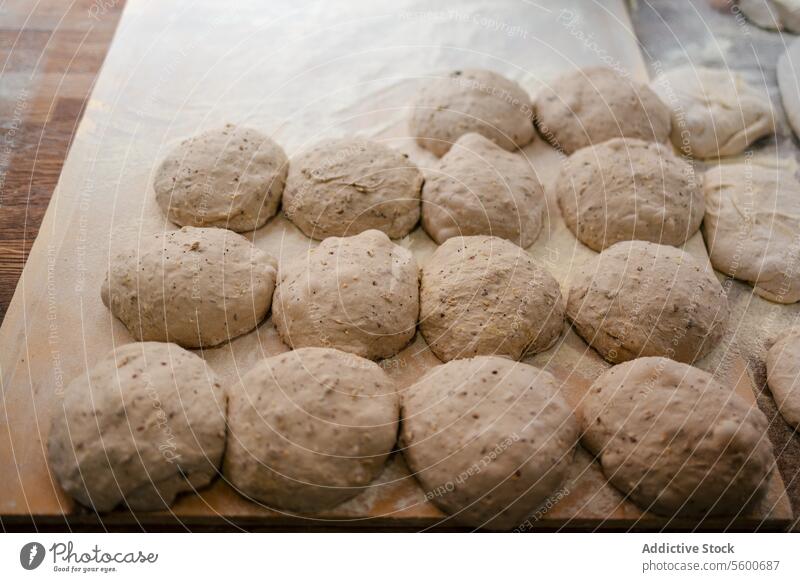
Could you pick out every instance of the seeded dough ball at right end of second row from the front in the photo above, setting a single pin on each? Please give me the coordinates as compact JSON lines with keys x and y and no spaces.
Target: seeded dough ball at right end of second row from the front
{"x":642,"y":299}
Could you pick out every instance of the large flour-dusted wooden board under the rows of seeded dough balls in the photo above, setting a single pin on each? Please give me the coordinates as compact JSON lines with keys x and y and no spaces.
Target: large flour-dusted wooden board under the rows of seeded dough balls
{"x":177,"y":68}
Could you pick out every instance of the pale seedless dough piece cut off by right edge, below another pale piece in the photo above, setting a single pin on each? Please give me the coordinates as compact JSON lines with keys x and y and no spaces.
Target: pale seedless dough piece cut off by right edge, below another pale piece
{"x":752,"y":227}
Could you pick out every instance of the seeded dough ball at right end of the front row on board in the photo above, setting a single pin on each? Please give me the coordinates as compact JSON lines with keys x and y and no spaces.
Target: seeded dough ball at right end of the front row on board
{"x":675,"y":440}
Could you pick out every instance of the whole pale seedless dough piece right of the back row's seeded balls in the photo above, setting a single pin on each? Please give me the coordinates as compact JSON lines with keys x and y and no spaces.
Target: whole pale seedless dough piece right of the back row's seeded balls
{"x":714,"y":112}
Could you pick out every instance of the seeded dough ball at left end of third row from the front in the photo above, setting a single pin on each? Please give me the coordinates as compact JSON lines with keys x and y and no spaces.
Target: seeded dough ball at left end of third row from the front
{"x":230,"y":178}
